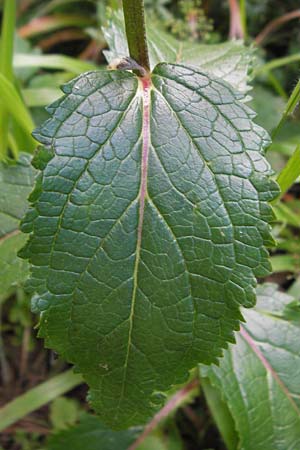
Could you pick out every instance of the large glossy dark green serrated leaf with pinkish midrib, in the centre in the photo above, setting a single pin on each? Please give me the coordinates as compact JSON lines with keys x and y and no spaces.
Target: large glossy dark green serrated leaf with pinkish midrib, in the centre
{"x":147,"y":230}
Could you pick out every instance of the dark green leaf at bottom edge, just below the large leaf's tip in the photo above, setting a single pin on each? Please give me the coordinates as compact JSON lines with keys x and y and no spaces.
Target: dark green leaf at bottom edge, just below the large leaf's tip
{"x":90,"y":434}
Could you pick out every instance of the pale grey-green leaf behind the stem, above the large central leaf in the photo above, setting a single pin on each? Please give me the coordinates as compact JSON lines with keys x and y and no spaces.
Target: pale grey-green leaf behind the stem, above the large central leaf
{"x":229,"y":60}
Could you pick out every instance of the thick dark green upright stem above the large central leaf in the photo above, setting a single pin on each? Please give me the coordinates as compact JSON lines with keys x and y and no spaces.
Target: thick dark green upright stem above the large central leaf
{"x":136,"y":32}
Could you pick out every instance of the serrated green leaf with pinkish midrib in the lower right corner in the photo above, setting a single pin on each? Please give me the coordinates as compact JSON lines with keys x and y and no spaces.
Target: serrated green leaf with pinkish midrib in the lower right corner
{"x":259,"y":376}
